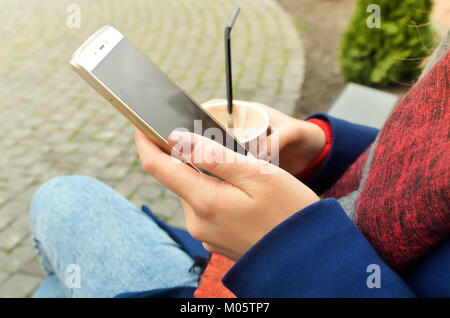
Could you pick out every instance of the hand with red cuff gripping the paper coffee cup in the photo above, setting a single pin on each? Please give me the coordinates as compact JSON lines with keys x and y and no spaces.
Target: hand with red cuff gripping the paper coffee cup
{"x":300,"y":142}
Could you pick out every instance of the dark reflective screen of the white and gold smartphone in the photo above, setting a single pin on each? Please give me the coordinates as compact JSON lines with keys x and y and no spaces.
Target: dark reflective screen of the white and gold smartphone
{"x":153,"y":96}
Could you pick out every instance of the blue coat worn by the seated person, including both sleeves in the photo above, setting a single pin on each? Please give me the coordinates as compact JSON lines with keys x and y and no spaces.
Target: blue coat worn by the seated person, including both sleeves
{"x":319,"y":251}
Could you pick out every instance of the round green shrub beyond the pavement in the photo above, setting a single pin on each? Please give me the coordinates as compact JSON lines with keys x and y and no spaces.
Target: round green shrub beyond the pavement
{"x":389,"y":54}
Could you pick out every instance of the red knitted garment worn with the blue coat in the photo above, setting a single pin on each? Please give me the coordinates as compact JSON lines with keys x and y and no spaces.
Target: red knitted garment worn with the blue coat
{"x":403,"y":208}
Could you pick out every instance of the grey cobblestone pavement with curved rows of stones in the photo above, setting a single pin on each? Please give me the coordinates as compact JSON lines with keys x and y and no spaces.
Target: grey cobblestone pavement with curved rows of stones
{"x":52,"y":123}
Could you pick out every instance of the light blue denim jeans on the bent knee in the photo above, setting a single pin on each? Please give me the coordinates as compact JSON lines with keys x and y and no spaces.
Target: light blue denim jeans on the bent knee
{"x":92,"y":242}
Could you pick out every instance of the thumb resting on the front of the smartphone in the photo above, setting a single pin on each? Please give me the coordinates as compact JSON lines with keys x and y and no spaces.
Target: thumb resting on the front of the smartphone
{"x":211,"y":156}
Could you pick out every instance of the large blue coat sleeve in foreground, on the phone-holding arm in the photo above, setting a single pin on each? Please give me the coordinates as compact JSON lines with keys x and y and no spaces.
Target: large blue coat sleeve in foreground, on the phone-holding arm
{"x":317,"y":252}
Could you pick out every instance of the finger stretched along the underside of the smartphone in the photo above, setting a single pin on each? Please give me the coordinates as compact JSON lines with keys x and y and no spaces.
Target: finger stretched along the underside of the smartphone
{"x":172,"y":173}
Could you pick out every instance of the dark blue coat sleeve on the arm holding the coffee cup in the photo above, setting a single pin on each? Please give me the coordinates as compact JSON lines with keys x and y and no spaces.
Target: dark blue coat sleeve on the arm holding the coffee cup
{"x":349,"y":141}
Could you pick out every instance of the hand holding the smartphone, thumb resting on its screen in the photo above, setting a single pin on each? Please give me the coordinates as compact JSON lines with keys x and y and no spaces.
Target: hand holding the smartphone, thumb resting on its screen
{"x":230,"y":215}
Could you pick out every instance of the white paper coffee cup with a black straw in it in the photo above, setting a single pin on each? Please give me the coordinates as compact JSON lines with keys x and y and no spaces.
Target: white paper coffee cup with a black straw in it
{"x":250,"y":122}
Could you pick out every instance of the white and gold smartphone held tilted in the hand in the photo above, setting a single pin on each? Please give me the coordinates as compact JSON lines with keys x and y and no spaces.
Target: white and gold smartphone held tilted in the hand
{"x":139,"y":90}
